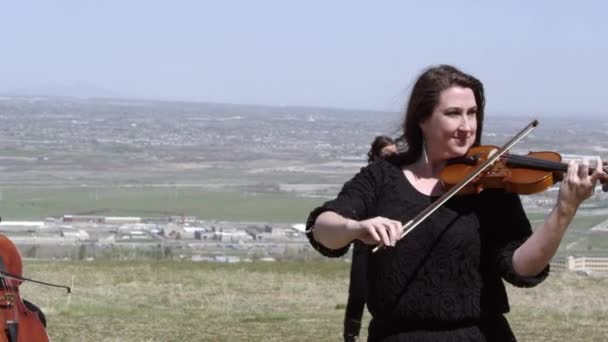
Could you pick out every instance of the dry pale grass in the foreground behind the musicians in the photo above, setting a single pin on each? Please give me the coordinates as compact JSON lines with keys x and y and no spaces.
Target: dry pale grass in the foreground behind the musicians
{"x":283,"y":301}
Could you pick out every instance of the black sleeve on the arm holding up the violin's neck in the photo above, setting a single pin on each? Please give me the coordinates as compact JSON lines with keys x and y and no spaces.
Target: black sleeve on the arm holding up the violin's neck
{"x":511,"y":228}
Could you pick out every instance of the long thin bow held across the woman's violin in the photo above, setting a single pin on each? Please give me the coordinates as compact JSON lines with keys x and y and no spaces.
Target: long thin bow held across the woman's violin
{"x":413,"y":223}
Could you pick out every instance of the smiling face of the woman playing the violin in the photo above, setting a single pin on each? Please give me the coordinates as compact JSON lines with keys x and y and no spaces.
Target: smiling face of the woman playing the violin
{"x":451,"y":129}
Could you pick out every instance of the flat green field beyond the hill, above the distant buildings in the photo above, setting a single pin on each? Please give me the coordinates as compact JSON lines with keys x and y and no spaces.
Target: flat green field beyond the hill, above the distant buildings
{"x":32,"y":204}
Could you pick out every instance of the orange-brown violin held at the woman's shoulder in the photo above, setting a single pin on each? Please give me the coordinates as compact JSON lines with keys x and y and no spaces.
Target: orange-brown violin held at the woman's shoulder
{"x":528,"y":174}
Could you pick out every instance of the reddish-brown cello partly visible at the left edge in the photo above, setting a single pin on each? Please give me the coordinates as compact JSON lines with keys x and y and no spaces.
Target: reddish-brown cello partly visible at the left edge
{"x":17,"y":322}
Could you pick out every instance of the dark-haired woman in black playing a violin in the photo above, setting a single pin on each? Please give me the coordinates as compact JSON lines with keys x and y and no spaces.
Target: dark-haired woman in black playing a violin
{"x":443,"y":281}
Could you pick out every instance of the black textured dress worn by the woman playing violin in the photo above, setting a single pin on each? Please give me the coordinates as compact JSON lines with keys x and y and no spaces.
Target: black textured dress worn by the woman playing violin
{"x":443,"y":281}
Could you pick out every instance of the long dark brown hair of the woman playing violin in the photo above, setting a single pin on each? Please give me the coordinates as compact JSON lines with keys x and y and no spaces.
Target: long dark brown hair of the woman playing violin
{"x":425,"y":97}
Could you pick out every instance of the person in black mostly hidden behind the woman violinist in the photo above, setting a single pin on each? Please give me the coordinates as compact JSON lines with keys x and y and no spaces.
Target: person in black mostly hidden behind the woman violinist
{"x":381,"y":147}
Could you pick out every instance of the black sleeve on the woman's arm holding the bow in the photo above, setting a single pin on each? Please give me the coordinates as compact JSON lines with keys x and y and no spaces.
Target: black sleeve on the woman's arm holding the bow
{"x":355,"y":201}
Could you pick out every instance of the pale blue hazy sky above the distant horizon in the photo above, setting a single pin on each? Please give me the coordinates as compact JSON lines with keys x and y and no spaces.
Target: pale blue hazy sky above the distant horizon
{"x":533,"y":56}
